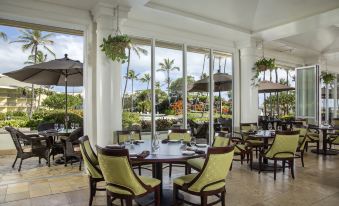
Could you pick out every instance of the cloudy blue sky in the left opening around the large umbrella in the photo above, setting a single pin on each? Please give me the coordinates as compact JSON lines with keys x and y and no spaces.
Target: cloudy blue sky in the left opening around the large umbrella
{"x":12,"y":57}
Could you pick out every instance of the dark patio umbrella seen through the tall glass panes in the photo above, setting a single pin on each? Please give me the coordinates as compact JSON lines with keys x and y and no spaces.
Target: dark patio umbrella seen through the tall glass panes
{"x":222,"y":82}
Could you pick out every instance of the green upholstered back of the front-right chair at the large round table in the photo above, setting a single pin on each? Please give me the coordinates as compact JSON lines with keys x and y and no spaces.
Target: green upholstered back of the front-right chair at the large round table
{"x":216,"y":169}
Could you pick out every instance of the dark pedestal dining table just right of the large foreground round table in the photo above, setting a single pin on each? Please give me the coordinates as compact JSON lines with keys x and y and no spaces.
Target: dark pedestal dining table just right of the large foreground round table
{"x":264,"y":135}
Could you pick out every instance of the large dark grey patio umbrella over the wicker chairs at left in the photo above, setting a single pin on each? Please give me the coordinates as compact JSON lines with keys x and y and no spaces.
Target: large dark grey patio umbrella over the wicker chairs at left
{"x":59,"y":72}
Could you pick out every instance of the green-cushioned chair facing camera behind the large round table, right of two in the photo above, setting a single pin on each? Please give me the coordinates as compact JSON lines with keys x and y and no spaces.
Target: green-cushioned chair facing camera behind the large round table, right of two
{"x":178,"y":134}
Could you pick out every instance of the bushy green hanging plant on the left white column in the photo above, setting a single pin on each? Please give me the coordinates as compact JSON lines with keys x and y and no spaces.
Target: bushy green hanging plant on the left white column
{"x":114,"y":47}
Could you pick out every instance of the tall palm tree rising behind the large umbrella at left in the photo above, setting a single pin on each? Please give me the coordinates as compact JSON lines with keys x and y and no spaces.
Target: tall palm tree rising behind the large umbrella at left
{"x":32,"y":40}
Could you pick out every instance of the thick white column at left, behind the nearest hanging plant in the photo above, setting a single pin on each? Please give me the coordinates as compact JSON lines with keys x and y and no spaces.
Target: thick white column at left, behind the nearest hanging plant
{"x":108,"y":77}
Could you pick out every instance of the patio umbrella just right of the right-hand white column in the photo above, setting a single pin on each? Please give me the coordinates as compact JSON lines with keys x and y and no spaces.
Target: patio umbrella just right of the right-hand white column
{"x":268,"y":87}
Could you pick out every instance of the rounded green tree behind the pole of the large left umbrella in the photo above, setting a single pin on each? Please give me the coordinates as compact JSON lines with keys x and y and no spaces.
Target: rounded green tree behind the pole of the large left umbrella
{"x":58,"y":101}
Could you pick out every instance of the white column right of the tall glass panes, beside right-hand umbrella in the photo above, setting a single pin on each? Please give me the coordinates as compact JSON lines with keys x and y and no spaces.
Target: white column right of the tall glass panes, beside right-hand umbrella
{"x":249,"y":93}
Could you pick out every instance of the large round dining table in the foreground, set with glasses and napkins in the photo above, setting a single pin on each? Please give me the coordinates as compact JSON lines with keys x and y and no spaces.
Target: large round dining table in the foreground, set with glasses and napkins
{"x":169,"y":152}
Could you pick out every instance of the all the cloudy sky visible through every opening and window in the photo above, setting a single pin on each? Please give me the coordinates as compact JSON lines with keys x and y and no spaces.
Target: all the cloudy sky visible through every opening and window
{"x":12,"y":58}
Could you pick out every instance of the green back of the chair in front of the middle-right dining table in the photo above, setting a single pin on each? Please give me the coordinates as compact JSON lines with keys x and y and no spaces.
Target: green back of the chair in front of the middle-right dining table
{"x":285,"y":145}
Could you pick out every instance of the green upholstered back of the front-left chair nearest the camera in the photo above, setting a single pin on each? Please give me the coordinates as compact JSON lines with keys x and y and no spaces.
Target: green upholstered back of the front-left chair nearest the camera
{"x":117,"y":170}
